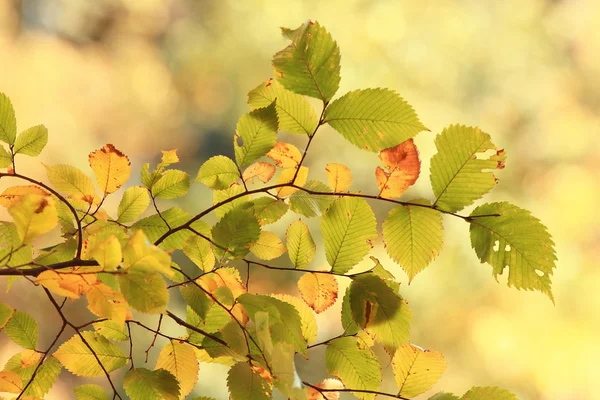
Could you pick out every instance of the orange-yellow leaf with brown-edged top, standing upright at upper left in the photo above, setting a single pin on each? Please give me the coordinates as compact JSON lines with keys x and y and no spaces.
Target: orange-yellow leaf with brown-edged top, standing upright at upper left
{"x":111,"y":167}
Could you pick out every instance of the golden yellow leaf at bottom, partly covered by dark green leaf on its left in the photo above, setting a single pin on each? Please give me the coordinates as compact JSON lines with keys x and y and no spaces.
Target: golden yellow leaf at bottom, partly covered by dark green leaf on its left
{"x":179,"y":358}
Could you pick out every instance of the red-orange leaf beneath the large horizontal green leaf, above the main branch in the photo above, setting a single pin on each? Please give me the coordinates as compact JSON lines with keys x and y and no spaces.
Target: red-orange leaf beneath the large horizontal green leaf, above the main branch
{"x":402,"y":168}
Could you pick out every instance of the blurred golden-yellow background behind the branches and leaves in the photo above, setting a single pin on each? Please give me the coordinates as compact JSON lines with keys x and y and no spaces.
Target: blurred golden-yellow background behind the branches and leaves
{"x":151,"y":75}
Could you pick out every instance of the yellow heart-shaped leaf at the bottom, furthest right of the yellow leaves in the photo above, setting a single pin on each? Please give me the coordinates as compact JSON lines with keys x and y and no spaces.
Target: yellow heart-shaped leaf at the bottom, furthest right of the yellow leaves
{"x":416,"y":370}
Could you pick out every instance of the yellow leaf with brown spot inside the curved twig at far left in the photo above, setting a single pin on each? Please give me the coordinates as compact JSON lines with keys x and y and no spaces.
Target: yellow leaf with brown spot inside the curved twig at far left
{"x":34,"y":215}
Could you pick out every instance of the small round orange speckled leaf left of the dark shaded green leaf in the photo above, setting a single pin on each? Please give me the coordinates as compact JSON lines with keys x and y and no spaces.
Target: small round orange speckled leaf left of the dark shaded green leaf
{"x":319,"y":291}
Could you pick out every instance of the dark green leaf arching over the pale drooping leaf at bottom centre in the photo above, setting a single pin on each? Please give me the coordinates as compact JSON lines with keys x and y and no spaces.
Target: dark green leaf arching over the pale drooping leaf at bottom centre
{"x":284,"y":319}
